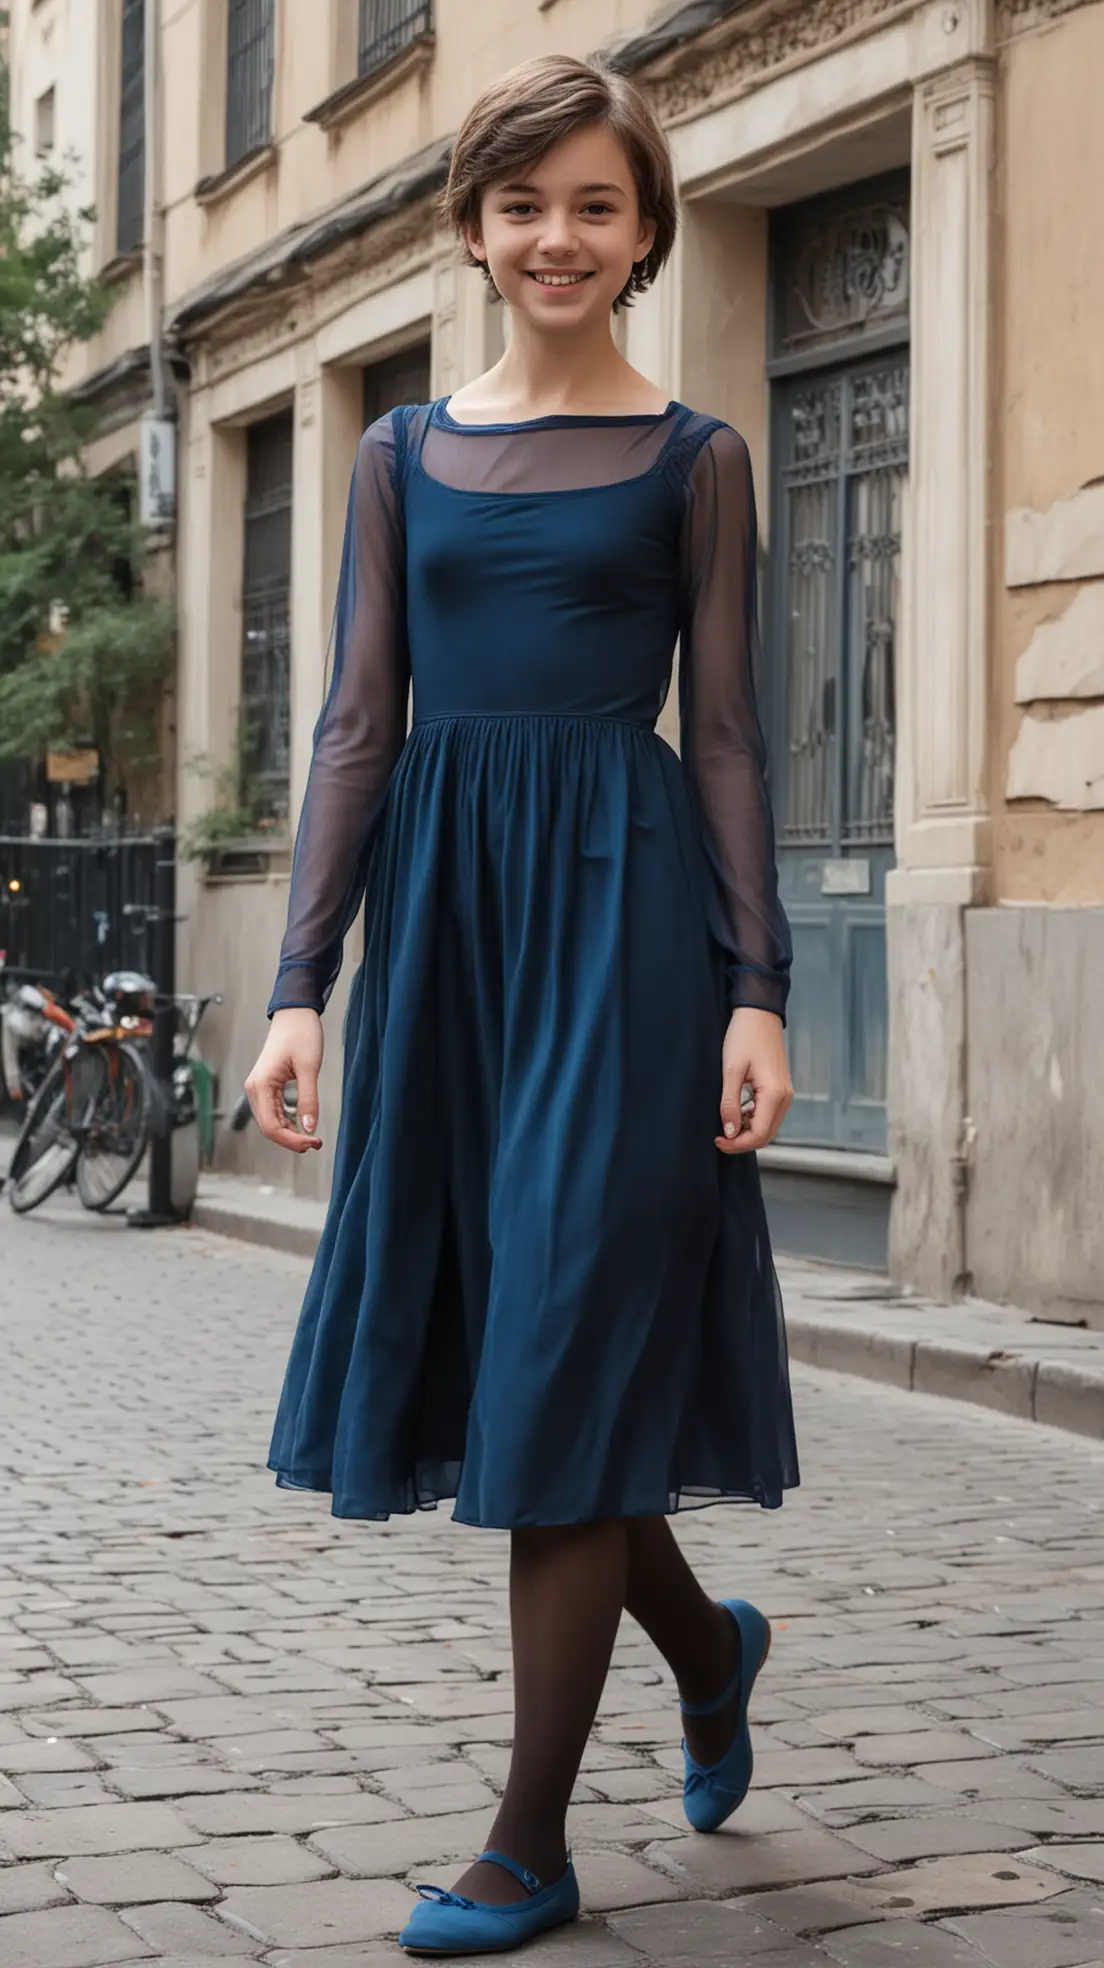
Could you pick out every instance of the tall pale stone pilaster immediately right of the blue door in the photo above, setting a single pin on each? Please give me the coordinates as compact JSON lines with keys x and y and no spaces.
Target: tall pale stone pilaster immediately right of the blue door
{"x":944,"y":831}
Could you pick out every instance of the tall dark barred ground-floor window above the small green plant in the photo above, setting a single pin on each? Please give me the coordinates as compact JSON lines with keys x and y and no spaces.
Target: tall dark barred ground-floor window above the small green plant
{"x":267,"y":597}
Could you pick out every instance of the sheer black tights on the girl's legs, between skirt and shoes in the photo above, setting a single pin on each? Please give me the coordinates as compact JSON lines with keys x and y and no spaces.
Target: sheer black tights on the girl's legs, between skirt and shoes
{"x":568,"y":1589}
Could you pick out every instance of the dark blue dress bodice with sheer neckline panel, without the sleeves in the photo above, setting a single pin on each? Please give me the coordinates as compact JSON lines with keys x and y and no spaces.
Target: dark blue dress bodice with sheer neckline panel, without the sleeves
{"x":526,"y":593}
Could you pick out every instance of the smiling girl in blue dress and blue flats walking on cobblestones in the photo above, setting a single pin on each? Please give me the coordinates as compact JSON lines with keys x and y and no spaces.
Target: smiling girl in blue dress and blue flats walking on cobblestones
{"x":546,"y":1286}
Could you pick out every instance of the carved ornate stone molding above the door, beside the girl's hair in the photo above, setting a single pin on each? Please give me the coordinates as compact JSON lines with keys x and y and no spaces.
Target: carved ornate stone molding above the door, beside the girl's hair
{"x":759,"y":44}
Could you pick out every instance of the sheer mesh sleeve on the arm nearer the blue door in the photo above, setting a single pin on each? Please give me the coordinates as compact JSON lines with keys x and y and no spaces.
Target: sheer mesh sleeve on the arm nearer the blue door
{"x":721,"y":735}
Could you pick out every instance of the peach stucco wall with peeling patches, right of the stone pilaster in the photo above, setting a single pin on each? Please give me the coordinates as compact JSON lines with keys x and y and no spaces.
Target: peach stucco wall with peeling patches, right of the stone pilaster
{"x":1050,"y":450}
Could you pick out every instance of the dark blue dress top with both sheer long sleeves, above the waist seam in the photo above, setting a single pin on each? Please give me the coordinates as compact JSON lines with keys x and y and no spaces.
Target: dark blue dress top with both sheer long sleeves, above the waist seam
{"x":544,"y":568}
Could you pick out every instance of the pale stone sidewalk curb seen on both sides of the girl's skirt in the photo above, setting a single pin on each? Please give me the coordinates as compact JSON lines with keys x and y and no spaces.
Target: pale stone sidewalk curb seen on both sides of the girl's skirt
{"x":847,"y":1322}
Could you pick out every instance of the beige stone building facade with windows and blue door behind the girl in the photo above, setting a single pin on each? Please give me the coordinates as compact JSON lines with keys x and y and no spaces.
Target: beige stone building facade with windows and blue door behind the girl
{"x":889,"y":278}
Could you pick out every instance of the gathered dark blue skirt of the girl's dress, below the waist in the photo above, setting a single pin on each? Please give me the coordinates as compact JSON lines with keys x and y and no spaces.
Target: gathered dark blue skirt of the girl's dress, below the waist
{"x":542,"y":1292}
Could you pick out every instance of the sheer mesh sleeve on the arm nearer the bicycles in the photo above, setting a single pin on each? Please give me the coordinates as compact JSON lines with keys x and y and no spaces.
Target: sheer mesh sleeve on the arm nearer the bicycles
{"x":359,"y":735}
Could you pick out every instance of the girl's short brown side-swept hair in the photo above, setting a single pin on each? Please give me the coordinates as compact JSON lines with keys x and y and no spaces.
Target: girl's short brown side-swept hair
{"x":542,"y":103}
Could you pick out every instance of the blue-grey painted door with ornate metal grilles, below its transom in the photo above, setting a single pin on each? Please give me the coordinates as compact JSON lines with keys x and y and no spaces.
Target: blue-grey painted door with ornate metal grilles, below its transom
{"x":839,"y":481}
